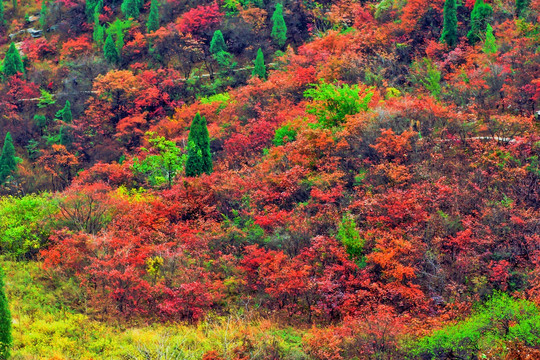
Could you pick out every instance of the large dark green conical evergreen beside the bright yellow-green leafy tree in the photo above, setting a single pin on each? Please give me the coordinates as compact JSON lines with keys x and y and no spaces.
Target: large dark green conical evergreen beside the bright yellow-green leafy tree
{"x":199,"y":158}
